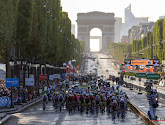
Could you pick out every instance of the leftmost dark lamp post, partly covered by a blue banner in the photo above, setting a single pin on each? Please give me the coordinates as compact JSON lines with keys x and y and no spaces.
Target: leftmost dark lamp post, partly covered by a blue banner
{"x":11,"y":63}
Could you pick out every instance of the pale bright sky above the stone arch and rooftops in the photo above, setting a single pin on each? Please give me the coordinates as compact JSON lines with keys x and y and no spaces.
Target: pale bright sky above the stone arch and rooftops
{"x":146,"y":8}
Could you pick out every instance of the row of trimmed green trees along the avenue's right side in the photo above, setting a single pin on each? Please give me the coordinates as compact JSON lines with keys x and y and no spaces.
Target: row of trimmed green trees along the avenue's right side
{"x":150,"y":47}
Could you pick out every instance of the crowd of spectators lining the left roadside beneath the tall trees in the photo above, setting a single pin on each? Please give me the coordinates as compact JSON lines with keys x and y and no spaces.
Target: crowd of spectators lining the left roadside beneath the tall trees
{"x":23,"y":94}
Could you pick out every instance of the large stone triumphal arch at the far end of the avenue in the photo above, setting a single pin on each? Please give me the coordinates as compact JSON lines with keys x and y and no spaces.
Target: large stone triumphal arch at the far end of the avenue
{"x":104,"y":21}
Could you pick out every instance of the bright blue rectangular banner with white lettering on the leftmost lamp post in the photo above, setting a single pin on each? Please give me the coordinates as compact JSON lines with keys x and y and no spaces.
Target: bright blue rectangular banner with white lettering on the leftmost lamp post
{"x":12,"y":82}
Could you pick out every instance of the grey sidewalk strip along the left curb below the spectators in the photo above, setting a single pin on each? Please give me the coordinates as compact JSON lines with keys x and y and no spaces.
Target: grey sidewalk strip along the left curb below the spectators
{"x":5,"y":113}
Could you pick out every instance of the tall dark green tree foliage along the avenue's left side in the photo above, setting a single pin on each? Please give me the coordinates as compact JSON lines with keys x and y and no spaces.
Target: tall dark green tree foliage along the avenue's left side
{"x":35,"y":30}
